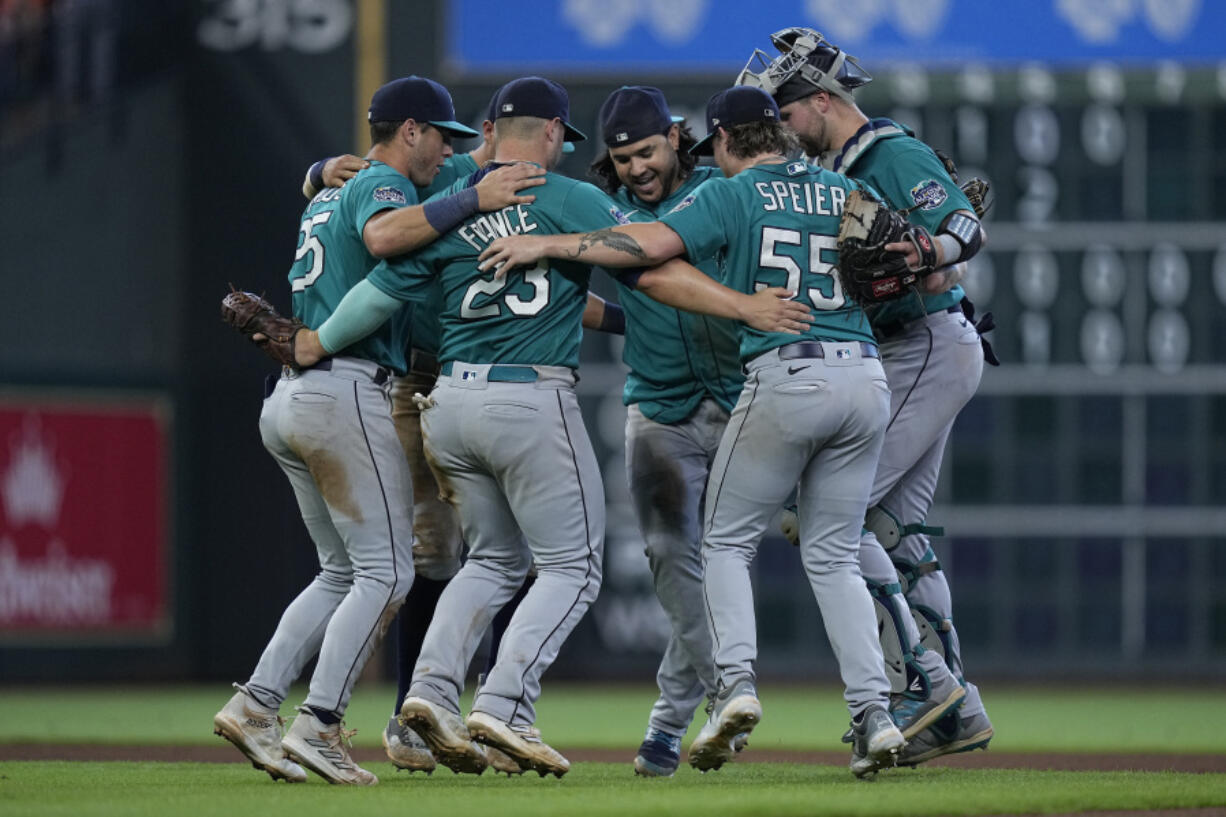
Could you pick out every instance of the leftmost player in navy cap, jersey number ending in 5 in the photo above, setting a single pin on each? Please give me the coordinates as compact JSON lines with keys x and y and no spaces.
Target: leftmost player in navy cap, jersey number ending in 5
{"x":332,"y":431}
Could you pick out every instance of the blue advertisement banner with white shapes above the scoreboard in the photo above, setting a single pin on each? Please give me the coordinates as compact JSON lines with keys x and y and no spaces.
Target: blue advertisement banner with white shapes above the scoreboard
{"x":715,"y":37}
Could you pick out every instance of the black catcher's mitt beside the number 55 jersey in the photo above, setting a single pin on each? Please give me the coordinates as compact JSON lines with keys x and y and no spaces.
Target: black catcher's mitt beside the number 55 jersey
{"x":871,"y":274}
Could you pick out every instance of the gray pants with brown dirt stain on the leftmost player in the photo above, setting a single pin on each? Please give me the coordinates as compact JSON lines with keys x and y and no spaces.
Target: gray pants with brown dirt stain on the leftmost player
{"x":332,"y":434}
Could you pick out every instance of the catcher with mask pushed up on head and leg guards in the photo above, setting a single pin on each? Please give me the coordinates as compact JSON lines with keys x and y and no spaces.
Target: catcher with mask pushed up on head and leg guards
{"x":934,"y":360}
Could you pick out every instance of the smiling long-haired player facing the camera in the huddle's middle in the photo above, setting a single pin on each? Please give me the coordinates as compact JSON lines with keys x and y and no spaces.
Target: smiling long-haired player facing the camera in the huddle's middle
{"x":683,"y":382}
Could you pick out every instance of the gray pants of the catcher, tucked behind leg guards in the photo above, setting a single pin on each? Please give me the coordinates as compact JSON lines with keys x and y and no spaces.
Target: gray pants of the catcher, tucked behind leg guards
{"x":934,"y":366}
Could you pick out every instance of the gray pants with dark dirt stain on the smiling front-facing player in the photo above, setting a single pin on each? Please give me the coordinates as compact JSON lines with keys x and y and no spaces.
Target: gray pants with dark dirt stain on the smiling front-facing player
{"x":668,"y":468}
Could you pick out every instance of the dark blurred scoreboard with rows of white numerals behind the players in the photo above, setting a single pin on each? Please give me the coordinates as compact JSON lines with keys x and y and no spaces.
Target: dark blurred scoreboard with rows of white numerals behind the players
{"x":1086,"y":485}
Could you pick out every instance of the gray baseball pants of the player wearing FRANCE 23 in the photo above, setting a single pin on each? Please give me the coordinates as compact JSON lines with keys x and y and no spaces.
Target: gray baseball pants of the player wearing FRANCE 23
{"x":516,"y":462}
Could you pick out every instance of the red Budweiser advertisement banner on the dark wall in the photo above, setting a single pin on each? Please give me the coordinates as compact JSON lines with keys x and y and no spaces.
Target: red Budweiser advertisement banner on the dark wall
{"x":84,"y":521}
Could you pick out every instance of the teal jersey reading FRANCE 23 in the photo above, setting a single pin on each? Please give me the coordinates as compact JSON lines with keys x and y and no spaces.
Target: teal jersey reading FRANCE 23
{"x":534,"y":315}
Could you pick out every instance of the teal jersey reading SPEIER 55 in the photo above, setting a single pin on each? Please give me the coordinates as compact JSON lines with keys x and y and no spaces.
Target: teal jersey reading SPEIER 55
{"x":775,"y":226}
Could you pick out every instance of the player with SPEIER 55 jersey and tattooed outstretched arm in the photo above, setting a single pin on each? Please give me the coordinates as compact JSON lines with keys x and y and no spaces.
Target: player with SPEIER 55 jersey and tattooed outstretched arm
{"x":812,"y":413}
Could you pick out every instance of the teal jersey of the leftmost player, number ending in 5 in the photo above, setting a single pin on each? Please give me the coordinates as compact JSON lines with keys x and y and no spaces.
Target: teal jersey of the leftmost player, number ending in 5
{"x":332,"y":257}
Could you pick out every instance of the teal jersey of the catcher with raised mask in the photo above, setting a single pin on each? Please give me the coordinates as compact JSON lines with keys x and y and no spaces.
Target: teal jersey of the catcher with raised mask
{"x":909,"y":175}
